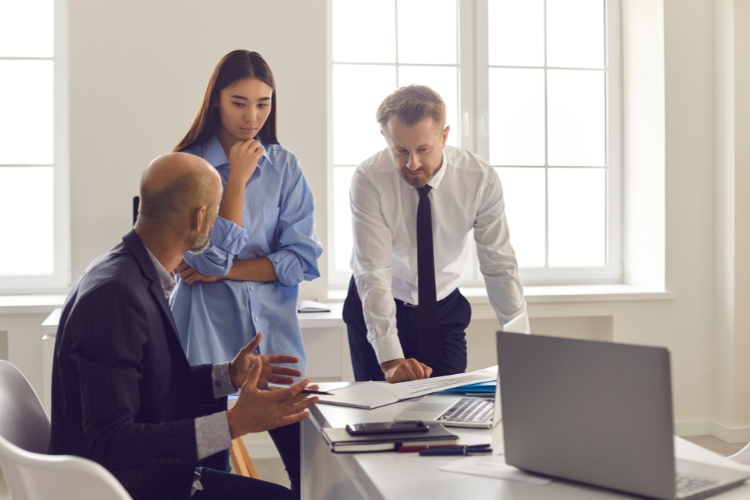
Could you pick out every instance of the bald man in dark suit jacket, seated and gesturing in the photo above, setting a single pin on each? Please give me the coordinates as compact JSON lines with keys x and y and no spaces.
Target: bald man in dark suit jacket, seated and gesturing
{"x":123,"y":393}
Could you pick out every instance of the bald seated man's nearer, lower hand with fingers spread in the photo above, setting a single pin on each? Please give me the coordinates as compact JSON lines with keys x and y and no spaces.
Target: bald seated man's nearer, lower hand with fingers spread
{"x":257,"y":410}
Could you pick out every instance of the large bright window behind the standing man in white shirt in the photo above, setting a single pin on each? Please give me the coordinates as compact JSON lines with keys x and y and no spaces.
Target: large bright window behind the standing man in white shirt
{"x":531,"y":85}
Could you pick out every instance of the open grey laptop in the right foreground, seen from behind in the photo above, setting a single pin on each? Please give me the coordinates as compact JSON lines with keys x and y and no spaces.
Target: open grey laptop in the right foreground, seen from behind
{"x":598,"y":413}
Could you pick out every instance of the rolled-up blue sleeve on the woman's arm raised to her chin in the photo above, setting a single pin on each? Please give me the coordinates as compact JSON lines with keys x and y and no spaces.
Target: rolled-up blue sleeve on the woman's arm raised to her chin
{"x":227,"y":240}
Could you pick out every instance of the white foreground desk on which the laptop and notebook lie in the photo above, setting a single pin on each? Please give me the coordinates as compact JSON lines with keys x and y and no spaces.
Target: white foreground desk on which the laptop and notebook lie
{"x":391,"y":475}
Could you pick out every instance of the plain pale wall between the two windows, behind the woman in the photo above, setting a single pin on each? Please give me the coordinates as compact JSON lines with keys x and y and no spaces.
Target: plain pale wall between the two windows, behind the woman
{"x":138,"y":72}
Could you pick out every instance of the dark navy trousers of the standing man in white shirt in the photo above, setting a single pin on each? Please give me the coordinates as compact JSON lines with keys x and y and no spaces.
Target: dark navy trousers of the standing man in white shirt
{"x":454,"y":315}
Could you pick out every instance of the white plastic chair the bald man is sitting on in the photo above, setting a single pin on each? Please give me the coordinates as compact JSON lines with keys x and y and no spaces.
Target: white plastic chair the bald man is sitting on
{"x":30,"y":473}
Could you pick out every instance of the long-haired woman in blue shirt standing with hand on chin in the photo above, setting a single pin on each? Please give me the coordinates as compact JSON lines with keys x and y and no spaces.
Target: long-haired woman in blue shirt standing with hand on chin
{"x":263,"y":242}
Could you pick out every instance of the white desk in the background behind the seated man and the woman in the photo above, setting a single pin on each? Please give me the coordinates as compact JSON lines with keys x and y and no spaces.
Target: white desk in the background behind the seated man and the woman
{"x":324,"y":336}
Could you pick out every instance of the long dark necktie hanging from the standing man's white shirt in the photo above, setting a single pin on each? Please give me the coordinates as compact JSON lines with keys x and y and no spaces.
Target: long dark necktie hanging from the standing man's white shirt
{"x":429,"y":338}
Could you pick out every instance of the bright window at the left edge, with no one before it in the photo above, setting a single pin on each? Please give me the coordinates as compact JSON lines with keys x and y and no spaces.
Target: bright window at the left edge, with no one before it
{"x":33,"y":147}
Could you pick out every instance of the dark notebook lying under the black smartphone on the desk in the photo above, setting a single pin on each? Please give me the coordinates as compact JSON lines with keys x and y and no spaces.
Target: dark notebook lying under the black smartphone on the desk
{"x":340,"y":441}
